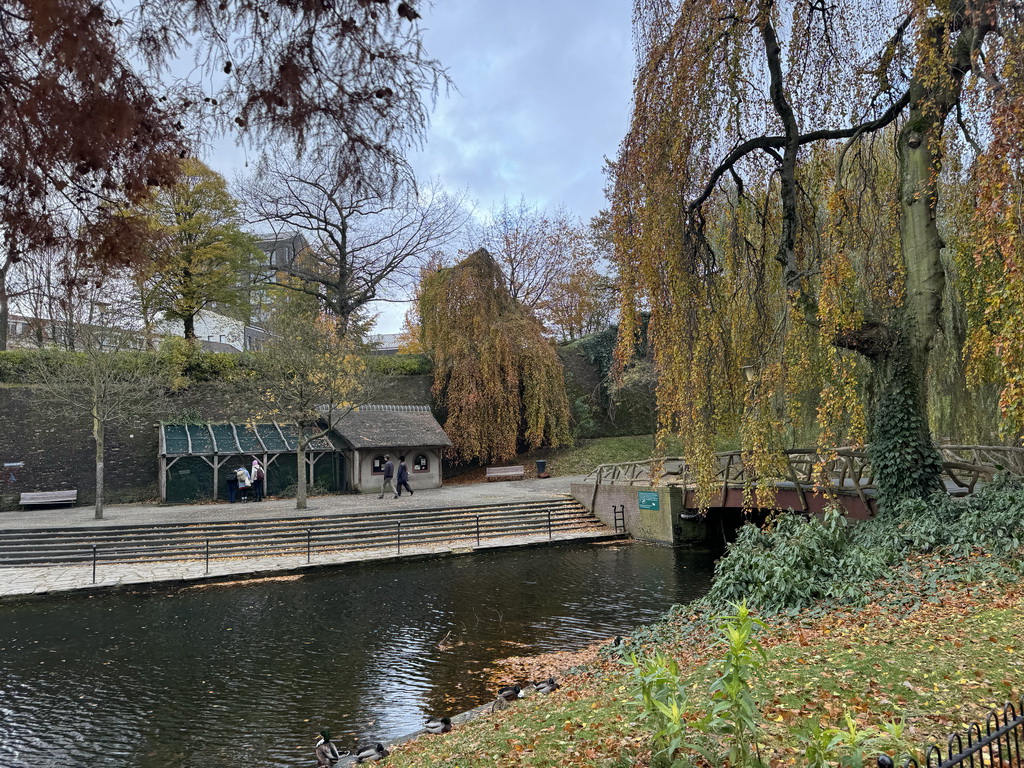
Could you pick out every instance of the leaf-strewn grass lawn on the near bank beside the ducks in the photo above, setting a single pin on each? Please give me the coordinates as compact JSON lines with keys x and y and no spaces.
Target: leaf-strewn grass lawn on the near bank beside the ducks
{"x":925,"y":663}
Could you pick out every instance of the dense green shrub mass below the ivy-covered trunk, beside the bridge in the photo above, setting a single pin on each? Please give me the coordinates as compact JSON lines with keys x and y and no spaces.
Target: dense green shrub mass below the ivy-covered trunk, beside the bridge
{"x":795,"y":563}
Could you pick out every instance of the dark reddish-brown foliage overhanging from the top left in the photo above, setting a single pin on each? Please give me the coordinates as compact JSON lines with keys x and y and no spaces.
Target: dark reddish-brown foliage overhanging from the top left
{"x":97,"y":105}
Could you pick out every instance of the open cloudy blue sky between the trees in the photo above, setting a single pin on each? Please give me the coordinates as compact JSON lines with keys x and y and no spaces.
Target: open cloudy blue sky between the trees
{"x":542,"y":96}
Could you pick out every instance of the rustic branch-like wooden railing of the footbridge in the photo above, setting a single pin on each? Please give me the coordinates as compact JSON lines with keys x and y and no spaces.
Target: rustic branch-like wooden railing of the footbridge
{"x":841,"y":471}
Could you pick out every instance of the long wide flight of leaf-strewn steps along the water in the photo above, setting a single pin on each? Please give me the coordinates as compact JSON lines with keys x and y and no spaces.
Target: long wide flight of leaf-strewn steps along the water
{"x":315,"y":535}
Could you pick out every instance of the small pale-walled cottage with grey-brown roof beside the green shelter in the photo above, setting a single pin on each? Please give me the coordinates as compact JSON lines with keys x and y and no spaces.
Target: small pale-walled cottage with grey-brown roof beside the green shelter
{"x":373,"y":433}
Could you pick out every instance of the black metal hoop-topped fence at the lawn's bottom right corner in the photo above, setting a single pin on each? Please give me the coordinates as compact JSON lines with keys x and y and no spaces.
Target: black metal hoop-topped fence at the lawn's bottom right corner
{"x":996,"y":745}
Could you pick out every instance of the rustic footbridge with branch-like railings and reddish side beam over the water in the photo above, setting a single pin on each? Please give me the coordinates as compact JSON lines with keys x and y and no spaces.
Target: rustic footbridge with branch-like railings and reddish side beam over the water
{"x":809,"y":480}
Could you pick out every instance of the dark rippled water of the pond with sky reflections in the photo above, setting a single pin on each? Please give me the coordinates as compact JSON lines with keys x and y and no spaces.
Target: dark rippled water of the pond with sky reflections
{"x":248,"y":674}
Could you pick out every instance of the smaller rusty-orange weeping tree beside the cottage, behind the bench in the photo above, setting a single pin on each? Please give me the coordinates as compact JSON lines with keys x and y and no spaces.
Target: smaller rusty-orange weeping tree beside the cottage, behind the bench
{"x":496,"y":376}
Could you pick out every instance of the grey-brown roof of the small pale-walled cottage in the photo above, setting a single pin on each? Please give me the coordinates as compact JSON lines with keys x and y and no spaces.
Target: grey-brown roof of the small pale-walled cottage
{"x":392,"y":426}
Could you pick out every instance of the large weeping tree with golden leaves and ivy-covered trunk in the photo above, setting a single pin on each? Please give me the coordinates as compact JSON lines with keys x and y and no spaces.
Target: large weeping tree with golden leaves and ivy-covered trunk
{"x":783,"y":204}
